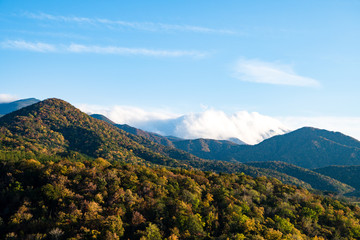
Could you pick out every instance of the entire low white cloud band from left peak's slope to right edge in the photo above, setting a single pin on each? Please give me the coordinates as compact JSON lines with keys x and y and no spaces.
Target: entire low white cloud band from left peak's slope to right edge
{"x":249,"y":127}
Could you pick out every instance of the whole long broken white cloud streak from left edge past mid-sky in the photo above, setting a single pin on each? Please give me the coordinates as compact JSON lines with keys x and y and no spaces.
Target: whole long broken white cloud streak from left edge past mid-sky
{"x":80,"y":48}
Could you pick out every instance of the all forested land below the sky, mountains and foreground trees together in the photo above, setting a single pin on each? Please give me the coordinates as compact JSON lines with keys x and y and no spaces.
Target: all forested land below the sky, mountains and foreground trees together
{"x":68,"y":175}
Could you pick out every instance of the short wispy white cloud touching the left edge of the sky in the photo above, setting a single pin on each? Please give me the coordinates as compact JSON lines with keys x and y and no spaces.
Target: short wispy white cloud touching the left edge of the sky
{"x":28,"y":46}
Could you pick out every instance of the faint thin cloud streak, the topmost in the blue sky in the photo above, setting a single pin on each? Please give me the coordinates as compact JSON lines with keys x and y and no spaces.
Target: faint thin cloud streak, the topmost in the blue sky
{"x":144,"y":26}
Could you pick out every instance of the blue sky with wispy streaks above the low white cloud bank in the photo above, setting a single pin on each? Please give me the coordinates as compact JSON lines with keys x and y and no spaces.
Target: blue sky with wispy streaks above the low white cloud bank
{"x":280,"y":58}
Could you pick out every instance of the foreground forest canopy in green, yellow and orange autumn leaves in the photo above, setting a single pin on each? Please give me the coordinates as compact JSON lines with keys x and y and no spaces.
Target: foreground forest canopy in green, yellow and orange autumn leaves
{"x":94,"y":199}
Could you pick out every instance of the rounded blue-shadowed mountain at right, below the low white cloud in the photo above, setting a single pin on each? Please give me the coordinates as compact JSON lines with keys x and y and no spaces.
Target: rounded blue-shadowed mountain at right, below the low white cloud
{"x":306,"y":147}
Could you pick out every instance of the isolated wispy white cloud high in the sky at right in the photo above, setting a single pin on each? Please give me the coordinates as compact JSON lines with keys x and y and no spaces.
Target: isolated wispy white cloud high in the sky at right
{"x":270,"y":73}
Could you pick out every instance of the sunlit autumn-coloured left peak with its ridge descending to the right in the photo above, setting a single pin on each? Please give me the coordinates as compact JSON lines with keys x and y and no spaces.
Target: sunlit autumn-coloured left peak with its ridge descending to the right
{"x":54,"y":126}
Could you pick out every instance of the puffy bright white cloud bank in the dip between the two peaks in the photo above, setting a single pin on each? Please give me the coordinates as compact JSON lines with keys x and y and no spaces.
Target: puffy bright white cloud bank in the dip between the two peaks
{"x":250,"y":128}
